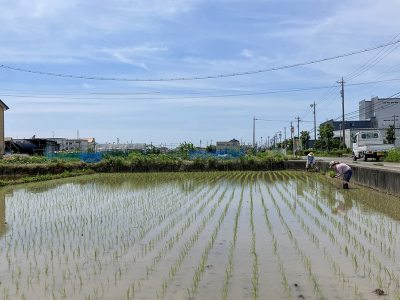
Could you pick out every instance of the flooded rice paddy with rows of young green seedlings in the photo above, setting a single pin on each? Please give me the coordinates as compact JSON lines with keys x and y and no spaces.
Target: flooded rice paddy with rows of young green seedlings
{"x":236,"y":235}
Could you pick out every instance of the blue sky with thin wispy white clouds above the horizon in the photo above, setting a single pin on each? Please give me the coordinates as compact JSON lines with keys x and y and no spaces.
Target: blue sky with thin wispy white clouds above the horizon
{"x":154,"y":39}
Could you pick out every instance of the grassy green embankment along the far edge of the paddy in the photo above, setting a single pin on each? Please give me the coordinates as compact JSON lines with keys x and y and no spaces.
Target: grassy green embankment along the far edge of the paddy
{"x":38,"y":168}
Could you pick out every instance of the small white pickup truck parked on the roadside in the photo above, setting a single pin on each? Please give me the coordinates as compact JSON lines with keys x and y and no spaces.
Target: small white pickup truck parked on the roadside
{"x":369,"y":144}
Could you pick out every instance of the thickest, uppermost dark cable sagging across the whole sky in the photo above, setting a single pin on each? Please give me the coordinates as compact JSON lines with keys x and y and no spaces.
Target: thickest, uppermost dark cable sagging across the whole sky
{"x":198,"y":77}
